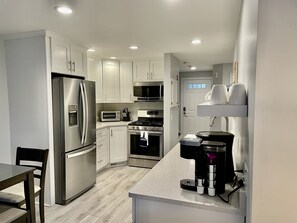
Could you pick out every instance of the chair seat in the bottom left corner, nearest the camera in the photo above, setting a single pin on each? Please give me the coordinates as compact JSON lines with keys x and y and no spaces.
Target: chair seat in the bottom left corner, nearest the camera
{"x":11,"y":214}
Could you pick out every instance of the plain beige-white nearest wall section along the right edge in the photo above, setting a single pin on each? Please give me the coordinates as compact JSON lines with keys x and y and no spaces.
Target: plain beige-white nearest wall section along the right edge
{"x":275,"y":143}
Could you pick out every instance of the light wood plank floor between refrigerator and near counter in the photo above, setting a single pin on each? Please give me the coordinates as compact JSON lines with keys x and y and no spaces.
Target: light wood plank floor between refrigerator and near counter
{"x":107,"y":201}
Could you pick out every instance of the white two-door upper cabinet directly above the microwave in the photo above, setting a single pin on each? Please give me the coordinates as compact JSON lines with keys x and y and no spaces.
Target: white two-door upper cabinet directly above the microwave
{"x":148,"y":70}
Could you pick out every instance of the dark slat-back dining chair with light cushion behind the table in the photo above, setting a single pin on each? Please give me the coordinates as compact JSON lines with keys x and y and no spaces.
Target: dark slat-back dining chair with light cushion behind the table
{"x":30,"y":157}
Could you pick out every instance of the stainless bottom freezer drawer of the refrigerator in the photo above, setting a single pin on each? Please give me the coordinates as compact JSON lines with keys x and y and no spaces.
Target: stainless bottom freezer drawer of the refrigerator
{"x":80,"y":171}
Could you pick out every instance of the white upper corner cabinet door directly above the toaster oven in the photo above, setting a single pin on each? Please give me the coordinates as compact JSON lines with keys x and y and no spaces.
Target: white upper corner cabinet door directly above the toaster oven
{"x":111,"y":81}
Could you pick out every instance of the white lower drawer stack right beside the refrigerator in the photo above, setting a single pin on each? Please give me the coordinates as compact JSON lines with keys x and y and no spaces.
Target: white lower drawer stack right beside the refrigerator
{"x":102,"y":146}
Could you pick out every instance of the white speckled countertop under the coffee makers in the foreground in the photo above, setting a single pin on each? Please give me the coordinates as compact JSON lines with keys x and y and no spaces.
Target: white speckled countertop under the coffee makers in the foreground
{"x":162,"y":184}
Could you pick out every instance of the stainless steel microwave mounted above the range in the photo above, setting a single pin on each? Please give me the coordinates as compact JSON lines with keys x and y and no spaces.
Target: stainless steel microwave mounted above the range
{"x":148,"y":91}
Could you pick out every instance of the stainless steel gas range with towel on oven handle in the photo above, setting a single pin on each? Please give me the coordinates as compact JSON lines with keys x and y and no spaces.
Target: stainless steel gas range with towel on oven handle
{"x":145,"y":138}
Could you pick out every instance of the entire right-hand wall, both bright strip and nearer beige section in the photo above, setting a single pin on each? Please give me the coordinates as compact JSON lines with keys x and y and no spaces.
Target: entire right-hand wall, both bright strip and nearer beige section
{"x":266,"y":50}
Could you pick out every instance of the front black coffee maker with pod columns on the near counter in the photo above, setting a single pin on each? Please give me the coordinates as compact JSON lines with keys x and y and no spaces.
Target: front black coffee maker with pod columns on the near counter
{"x":210,"y":160}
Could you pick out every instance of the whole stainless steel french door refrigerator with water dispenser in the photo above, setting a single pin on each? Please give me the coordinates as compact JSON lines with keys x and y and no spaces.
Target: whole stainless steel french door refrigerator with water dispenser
{"x":74,"y":120}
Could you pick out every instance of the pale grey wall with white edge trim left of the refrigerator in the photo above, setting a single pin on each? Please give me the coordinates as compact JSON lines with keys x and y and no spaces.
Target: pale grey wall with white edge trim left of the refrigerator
{"x":29,"y":93}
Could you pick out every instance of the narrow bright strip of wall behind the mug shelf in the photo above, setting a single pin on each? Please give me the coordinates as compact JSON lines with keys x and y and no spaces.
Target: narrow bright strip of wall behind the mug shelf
{"x":243,"y":128}
